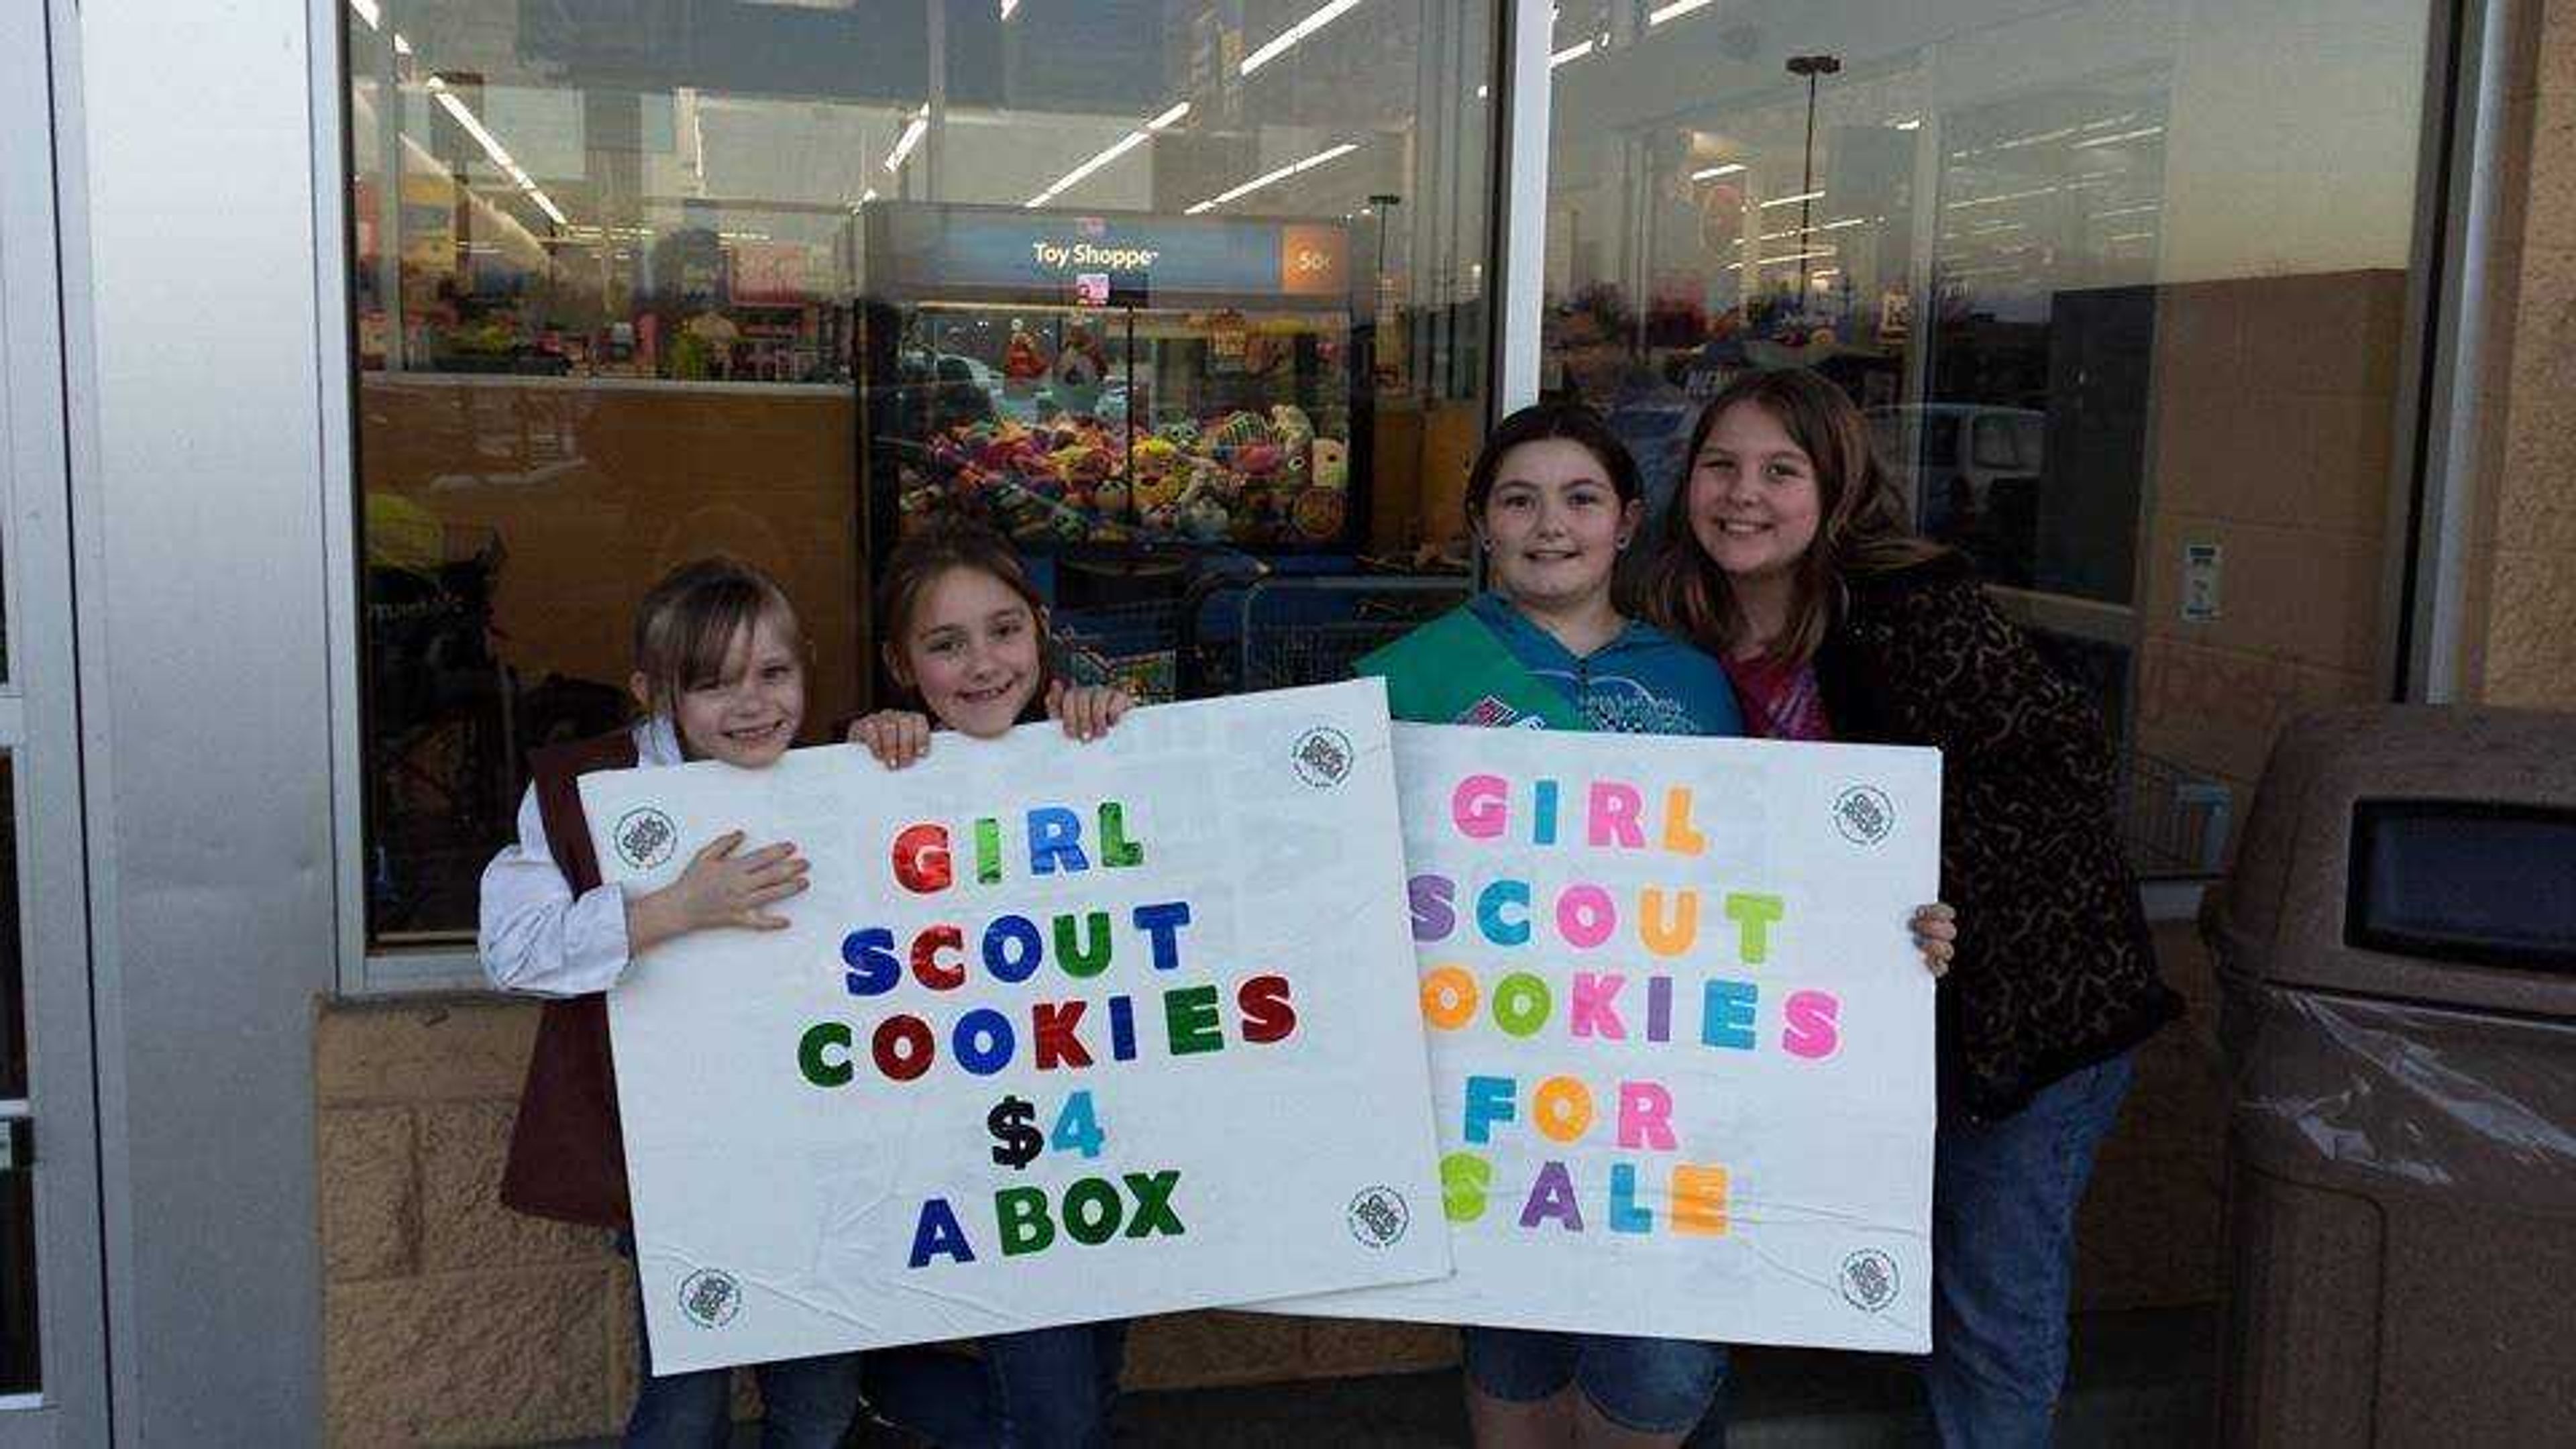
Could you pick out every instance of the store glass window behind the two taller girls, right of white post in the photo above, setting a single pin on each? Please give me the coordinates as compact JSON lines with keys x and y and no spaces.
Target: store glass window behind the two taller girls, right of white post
{"x":2121,"y":287}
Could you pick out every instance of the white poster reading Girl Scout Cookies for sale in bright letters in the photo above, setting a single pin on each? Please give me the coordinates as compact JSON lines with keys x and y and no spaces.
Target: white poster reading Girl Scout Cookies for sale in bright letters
{"x":1681,"y":1035}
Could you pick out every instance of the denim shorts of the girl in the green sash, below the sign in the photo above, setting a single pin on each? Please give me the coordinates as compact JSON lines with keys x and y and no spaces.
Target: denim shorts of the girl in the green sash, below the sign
{"x":1650,"y":1386}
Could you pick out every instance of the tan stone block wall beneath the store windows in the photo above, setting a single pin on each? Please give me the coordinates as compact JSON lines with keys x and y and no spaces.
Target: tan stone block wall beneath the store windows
{"x":455,"y":1321}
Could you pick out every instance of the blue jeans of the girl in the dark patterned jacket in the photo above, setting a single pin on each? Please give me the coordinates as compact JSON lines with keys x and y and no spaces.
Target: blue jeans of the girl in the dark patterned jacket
{"x":2003,"y":1257}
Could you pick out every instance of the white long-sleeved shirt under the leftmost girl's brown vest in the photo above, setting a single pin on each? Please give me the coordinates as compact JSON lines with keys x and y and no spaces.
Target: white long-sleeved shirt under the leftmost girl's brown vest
{"x":537,"y":935}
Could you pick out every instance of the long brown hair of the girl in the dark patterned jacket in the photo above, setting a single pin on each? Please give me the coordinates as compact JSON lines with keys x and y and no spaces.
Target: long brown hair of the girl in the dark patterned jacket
{"x":1861,"y":522}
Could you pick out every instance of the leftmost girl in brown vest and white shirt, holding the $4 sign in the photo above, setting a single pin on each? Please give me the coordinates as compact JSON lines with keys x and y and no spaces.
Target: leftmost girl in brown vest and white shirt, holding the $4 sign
{"x":720,"y":677}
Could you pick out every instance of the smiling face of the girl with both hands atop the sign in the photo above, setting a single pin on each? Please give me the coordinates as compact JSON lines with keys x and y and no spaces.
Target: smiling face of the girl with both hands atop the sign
{"x":972,"y":654}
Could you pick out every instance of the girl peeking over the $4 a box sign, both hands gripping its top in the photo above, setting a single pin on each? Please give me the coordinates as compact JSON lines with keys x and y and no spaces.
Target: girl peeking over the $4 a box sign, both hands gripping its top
{"x":967,"y":638}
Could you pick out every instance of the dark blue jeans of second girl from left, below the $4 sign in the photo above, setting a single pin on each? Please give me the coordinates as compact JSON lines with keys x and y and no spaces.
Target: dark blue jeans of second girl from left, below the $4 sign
{"x":1050,"y":1388}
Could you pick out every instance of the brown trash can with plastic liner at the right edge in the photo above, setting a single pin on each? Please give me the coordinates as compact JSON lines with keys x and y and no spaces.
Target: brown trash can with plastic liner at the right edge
{"x":2397,"y":963}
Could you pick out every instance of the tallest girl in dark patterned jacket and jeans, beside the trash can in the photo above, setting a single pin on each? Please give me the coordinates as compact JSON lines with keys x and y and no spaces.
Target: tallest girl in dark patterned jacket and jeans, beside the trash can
{"x":1789,"y":561}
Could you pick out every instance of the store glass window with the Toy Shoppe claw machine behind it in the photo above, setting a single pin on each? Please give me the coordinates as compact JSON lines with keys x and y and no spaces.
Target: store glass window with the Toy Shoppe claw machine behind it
{"x":1186,"y":295}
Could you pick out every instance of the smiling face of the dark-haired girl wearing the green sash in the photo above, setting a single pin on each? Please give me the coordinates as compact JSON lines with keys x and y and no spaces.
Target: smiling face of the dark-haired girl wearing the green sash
{"x":1555,"y":525}
